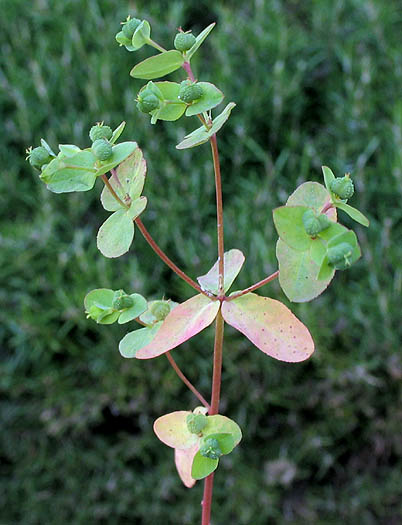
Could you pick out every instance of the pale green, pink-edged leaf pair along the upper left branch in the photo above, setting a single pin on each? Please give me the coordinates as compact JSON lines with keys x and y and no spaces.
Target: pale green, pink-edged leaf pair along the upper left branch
{"x":117,"y":232}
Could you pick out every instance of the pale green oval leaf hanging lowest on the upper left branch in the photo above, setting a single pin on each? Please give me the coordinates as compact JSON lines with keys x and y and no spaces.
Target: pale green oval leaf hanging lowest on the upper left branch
{"x":116,"y":234}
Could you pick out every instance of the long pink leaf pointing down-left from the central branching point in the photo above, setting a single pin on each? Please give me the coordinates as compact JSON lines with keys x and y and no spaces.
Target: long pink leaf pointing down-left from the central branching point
{"x":182,"y":323}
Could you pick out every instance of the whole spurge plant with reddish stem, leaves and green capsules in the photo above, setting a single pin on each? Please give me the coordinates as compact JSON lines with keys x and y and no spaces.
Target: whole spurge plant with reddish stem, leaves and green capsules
{"x":312,"y":245}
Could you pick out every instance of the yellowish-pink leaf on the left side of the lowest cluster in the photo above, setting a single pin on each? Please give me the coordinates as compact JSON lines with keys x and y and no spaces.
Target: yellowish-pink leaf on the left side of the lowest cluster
{"x":172,"y":430}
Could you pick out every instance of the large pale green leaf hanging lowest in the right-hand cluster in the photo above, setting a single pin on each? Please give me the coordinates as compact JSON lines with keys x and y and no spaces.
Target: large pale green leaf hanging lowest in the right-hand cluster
{"x":298,"y":273}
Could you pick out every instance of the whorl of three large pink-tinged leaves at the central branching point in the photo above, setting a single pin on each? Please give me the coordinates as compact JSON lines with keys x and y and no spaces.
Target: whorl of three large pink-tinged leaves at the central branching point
{"x":267,"y":323}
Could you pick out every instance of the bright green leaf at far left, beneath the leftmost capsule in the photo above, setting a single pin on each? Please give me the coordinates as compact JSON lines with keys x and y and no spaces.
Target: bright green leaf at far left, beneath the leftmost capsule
{"x":73,"y":173}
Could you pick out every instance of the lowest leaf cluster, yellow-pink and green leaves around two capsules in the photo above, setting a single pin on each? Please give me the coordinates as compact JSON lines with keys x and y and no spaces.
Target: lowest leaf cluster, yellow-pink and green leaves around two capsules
{"x":172,"y":429}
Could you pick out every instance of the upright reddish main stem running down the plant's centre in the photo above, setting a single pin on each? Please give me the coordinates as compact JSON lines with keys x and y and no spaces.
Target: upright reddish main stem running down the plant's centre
{"x":219,"y":326}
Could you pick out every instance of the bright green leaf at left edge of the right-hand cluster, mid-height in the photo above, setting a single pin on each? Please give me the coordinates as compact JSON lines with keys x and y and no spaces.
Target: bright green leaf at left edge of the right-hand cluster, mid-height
{"x":289,"y":225}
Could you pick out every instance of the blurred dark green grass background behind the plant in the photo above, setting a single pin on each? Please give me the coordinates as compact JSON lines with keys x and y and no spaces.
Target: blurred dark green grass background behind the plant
{"x":315,"y":82}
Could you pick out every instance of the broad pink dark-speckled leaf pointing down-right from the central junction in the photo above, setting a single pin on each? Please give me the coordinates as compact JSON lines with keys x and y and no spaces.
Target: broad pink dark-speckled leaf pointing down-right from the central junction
{"x":271,"y":326}
